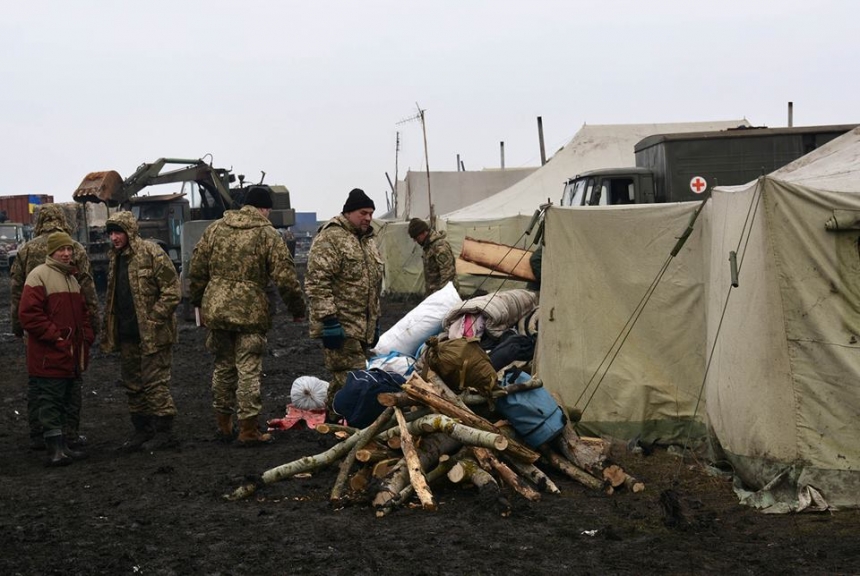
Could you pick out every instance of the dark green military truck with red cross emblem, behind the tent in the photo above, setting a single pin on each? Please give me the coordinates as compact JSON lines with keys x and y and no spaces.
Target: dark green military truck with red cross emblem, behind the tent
{"x":680,"y":167}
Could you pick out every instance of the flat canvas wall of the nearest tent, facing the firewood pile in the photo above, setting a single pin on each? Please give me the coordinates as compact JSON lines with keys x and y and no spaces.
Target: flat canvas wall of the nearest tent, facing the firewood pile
{"x":598,"y":263}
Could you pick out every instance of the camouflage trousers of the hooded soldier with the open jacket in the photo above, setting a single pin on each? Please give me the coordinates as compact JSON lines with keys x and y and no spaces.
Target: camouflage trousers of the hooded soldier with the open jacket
{"x":146,"y":378}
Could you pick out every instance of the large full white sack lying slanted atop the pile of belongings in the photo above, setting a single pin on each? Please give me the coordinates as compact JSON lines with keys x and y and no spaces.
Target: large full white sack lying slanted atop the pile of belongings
{"x":419,"y":324}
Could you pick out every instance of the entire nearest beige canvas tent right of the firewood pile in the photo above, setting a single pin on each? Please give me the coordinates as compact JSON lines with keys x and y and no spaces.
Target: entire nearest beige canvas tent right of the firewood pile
{"x":782,"y":349}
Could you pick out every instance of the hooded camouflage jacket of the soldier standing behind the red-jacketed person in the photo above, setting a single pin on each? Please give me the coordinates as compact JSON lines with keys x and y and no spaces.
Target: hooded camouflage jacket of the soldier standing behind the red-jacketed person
{"x":51,"y":219}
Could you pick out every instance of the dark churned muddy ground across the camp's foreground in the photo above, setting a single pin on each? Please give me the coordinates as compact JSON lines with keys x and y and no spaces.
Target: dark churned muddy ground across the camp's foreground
{"x":165,"y":512}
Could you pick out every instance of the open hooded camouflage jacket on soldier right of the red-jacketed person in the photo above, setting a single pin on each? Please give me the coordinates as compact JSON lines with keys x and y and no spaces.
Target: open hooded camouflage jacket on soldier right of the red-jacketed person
{"x":154,"y":287}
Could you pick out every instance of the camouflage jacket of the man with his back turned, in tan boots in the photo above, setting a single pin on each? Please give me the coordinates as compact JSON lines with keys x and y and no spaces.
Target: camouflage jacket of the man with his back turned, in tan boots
{"x":232,"y":265}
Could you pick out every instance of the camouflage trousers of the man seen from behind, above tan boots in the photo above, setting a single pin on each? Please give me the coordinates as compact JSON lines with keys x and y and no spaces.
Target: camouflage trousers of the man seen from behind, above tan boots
{"x":238,"y":367}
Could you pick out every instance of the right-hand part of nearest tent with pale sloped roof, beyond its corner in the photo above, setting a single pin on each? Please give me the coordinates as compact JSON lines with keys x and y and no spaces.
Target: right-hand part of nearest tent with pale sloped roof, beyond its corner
{"x":783,"y":392}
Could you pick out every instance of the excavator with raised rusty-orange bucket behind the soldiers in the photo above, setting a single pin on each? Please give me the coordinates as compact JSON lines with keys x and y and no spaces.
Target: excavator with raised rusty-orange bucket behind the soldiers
{"x":170,"y":219}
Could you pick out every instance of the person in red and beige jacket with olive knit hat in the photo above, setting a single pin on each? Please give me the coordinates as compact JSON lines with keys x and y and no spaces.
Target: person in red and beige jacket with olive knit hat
{"x":54,"y":314}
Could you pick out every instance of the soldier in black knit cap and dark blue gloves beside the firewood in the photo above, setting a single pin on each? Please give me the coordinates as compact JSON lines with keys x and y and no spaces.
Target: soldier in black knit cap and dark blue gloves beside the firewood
{"x":343,"y":283}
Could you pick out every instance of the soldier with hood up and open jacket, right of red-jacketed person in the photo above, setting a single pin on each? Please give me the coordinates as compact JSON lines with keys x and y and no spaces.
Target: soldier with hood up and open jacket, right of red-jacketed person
{"x":140,"y":322}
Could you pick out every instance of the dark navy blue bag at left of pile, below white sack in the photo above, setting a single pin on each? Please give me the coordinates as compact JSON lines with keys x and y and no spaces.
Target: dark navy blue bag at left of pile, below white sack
{"x":356,"y":401}
